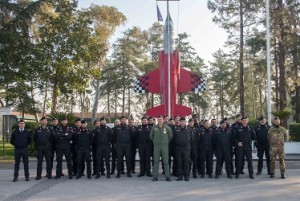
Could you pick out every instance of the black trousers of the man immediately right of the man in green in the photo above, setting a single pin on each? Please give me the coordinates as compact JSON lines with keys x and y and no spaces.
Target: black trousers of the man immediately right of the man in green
{"x":183,"y":162}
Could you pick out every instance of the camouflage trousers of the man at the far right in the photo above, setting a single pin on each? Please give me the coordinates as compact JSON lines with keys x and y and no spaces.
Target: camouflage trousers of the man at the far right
{"x":274,"y":152}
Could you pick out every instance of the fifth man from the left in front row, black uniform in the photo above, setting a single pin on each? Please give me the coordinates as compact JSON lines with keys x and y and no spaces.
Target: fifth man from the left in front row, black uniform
{"x":102,"y":140}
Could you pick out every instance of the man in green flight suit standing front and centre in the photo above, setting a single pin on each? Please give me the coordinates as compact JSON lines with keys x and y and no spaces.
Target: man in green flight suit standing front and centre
{"x":161,"y":134}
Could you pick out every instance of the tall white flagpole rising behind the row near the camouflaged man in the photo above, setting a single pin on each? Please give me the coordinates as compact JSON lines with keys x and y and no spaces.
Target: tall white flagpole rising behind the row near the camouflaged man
{"x":268,"y":60}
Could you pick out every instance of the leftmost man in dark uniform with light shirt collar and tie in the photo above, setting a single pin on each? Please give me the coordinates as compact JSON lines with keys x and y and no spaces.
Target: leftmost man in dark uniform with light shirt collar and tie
{"x":21,"y":139}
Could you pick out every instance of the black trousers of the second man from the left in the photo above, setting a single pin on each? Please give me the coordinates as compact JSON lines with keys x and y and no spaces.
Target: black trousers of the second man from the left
{"x":41,"y":153}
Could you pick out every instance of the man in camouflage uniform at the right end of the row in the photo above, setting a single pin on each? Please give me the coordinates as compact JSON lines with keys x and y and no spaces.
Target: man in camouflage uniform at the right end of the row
{"x":277,"y":136}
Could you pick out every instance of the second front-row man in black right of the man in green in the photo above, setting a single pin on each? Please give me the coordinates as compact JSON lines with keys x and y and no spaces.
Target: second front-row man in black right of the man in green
{"x":205,"y":150}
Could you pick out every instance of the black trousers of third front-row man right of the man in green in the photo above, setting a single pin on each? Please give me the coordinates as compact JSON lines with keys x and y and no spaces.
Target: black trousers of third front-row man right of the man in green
{"x":221,"y":157}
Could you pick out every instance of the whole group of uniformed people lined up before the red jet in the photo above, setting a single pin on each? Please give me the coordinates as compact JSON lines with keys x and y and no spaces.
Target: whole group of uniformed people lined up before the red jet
{"x":183,"y":147}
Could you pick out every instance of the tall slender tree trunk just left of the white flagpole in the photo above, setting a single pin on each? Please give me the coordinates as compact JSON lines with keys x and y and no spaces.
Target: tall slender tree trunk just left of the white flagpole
{"x":241,"y":61}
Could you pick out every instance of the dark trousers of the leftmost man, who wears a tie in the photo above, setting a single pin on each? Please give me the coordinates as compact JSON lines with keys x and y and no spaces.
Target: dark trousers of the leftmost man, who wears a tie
{"x":21,"y":153}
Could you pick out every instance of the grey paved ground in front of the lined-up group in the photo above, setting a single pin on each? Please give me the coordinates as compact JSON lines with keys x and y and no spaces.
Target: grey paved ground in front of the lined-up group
{"x":128,"y":189}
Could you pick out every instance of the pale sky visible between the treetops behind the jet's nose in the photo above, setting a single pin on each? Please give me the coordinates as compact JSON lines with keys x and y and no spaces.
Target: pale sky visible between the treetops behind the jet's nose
{"x":190,"y":16}
